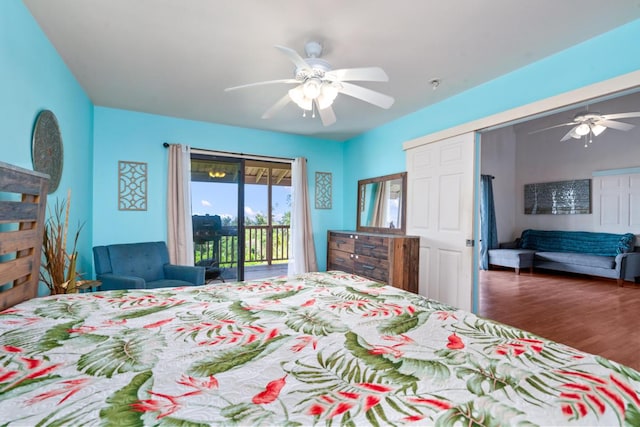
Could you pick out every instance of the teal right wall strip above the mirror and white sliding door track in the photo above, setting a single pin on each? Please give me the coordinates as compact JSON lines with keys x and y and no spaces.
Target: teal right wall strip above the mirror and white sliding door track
{"x":380,"y":151}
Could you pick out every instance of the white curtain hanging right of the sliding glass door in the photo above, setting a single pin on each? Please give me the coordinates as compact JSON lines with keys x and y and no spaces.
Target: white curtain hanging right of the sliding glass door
{"x":302,"y":254}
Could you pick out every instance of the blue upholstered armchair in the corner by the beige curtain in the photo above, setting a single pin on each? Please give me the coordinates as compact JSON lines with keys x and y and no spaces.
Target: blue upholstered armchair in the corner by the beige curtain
{"x":141,"y":266}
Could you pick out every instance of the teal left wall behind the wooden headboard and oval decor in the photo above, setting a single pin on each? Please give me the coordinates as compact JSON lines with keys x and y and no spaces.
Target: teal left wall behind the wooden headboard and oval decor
{"x":33,"y":77}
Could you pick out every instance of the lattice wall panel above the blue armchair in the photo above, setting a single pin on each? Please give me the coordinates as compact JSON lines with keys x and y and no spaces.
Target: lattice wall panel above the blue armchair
{"x":132,"y":186}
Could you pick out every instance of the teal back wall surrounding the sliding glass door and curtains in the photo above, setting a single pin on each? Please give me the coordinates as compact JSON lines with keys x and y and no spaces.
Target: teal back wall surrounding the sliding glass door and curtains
{"x":131,"y":136}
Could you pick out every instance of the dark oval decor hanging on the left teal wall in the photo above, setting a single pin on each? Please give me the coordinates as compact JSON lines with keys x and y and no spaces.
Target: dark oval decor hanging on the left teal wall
{"x":46,"y":148}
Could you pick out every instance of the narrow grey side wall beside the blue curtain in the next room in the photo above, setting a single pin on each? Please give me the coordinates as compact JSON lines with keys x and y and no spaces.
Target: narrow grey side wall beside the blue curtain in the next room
{"x":498,"y":158}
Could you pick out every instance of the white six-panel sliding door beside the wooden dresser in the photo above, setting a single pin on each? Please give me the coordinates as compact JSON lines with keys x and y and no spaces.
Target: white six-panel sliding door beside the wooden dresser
{"x":440,"y":211}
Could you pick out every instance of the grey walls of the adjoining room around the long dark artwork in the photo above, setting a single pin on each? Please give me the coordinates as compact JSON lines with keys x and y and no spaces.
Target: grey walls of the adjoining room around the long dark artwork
{"x":542,"y":157}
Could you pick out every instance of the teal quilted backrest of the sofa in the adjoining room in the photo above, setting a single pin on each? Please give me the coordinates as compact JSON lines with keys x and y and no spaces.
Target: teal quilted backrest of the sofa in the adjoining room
{"x":586,"y":242}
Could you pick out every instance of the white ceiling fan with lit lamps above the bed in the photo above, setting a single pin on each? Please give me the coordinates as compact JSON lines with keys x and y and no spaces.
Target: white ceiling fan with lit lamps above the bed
{"x":318,"y":85}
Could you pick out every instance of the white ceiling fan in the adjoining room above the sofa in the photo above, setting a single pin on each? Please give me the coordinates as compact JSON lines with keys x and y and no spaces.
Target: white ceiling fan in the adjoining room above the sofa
{"x":593,"y":124}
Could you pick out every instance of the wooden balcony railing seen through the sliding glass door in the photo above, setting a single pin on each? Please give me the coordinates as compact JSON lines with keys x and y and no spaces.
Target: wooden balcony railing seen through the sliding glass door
{"x":263,"y":244}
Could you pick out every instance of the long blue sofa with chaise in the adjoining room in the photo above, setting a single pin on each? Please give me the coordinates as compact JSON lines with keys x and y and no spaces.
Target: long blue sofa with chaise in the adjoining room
{"x":596,"y":254}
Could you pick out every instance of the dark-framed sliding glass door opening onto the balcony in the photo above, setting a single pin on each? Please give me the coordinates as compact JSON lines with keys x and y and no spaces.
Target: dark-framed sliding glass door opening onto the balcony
{"x":241,"y":213}
